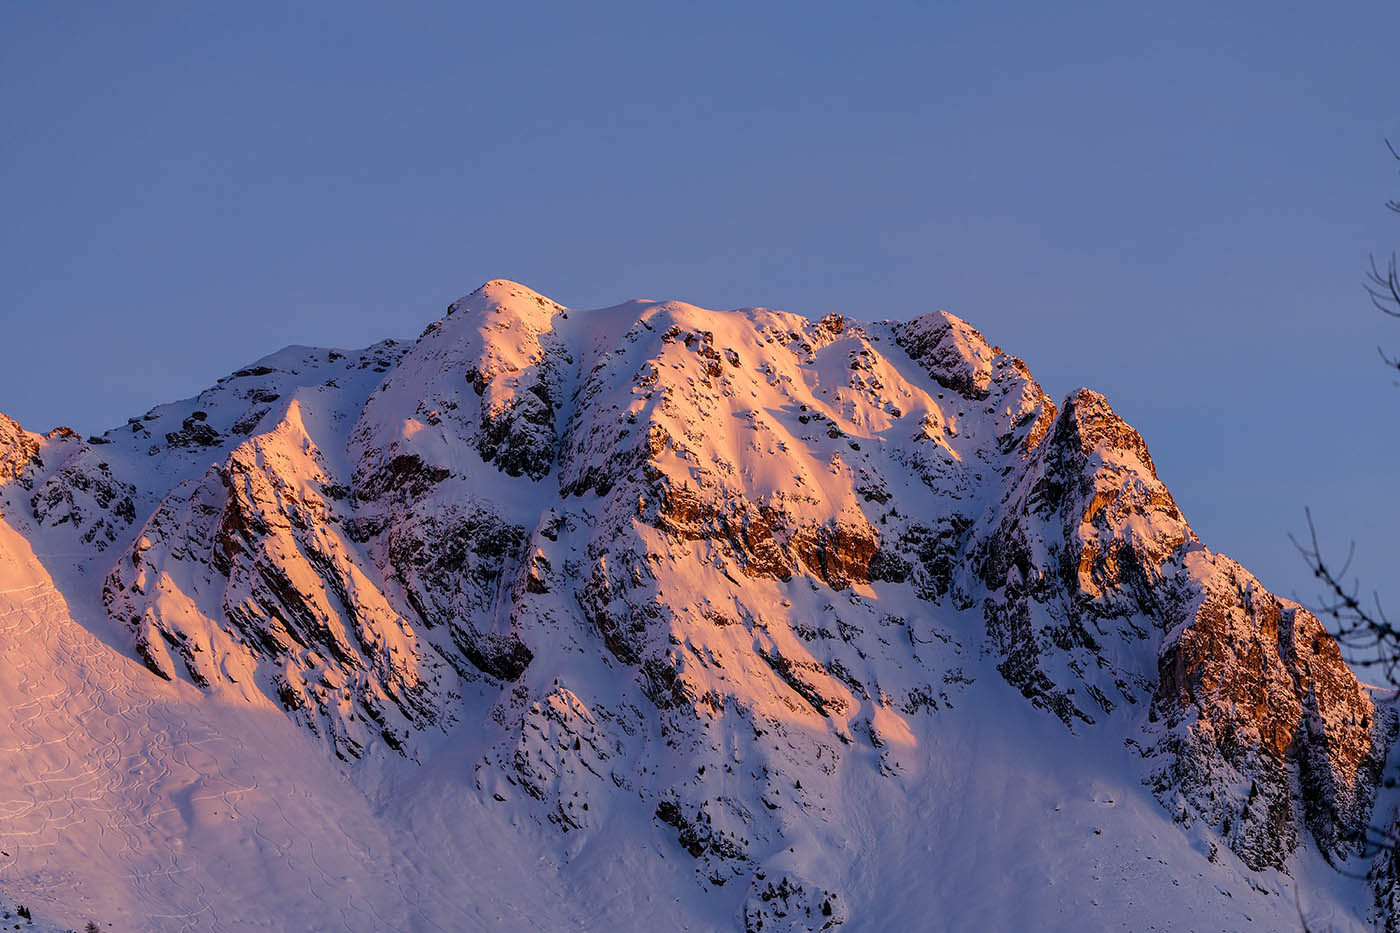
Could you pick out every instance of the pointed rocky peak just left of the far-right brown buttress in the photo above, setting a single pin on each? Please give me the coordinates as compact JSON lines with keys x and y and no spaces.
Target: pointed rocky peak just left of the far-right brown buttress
{"x":1080,"y":565}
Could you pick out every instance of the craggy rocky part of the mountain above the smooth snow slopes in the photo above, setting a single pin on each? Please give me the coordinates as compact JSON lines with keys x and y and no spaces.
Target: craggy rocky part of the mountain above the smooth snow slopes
{"x":705,"y":561}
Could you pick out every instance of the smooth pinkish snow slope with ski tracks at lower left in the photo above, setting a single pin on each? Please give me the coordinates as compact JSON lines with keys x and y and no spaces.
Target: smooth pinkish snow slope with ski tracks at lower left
{"x":121,"y":801}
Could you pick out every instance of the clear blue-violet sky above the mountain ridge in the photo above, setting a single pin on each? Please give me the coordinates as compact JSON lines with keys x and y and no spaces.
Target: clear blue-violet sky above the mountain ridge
{"x":1171,"y":204}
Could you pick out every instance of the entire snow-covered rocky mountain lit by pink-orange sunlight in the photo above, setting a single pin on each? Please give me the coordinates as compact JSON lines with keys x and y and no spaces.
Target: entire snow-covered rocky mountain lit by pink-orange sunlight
{"x":656,"y":617}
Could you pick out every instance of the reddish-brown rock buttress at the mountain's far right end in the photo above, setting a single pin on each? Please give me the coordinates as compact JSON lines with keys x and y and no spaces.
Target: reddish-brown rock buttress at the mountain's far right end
{"x":1256,"y":690}
